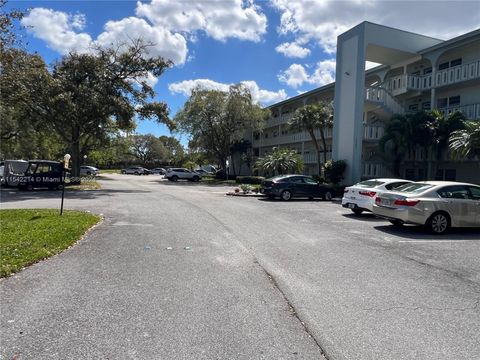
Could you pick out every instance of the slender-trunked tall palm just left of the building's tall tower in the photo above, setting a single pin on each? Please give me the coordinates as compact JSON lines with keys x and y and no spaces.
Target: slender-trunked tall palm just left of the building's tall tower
{"x":311,"y":117}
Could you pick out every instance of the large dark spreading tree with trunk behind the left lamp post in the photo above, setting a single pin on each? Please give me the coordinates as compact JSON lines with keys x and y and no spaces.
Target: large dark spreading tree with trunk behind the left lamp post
{"x":88,"y":93}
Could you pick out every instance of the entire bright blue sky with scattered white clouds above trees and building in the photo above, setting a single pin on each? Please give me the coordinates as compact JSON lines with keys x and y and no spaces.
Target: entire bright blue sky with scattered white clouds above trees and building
{"x":278,"y":48}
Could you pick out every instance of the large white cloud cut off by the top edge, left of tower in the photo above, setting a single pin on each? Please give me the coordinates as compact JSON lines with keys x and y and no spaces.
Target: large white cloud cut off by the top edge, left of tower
{"x":221,"y":19}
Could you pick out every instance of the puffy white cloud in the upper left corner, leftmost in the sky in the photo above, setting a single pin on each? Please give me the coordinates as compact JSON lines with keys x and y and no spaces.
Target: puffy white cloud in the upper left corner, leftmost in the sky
{"x":57,"y":29}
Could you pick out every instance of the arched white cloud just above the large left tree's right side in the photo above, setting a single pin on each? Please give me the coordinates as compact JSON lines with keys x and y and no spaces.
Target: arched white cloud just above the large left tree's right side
{"x":165,"y":44}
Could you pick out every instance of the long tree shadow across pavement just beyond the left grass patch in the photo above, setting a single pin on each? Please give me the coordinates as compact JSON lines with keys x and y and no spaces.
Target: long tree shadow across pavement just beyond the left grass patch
{"x":11,"y":195}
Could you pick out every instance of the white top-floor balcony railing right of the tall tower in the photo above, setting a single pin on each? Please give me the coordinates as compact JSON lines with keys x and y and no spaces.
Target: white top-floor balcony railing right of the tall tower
{"x":402,"y":83}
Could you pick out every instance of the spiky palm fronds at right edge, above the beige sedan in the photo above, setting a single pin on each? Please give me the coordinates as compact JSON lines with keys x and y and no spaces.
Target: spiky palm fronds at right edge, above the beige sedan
{"x":466,"y":142}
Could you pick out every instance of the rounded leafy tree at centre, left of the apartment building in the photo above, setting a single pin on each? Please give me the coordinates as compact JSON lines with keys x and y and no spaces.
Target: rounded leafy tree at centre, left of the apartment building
{"x":216,"y":119}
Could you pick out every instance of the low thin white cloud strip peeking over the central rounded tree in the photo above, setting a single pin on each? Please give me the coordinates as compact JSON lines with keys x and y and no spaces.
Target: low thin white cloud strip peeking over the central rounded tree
{"x":258,"y":95}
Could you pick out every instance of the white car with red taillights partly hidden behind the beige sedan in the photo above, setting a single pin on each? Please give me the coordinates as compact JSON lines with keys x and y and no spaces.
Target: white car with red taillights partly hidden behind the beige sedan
{"x":360,"y":197}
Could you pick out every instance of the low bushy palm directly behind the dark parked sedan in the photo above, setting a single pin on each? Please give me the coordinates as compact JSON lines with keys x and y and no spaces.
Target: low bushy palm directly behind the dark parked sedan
{"x":281,"y":161}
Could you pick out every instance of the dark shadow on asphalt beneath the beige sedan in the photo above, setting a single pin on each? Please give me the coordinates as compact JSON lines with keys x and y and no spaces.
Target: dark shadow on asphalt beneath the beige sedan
{"x":414,"y":232}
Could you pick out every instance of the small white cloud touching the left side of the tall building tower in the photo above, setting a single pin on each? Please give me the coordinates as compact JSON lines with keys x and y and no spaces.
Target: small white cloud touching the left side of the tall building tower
{"x":296,"y":75}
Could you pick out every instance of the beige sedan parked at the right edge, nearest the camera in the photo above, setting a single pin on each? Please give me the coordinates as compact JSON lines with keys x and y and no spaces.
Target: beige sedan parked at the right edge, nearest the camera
{"x":438,"y":205}
